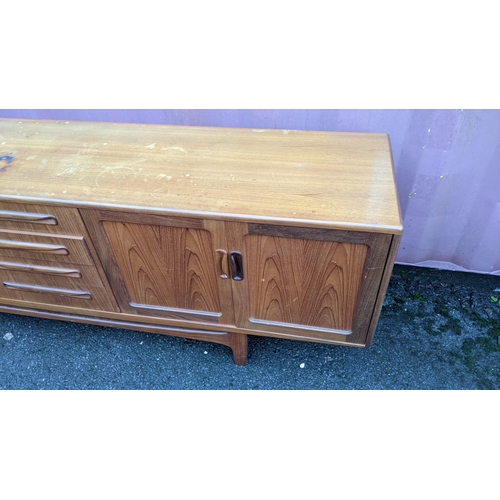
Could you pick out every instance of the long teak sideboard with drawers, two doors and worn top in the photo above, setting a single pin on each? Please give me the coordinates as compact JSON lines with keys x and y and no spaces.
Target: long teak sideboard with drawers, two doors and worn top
{"x":201,"y":232}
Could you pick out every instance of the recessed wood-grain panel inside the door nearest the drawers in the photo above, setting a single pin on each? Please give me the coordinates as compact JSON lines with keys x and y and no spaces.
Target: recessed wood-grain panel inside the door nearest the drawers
{"x":165,"y":266}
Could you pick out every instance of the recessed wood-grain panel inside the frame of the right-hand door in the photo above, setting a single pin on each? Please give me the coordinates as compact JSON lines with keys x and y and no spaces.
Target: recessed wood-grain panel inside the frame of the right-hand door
{"x":304,"y":282}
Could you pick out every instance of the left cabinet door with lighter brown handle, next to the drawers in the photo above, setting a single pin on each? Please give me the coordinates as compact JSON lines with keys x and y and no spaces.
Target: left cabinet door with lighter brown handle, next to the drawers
{"x":168,"y":267}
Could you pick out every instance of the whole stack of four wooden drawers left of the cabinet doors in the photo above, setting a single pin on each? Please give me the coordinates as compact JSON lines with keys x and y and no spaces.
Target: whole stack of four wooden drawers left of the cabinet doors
{"x":45,"y":259}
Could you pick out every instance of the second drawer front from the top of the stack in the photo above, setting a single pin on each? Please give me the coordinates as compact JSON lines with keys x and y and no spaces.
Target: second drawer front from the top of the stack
{"x":43,"y":247}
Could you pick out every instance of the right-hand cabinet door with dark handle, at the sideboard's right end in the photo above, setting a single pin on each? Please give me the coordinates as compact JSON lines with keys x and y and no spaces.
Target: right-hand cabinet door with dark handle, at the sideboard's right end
{"x":308,"y":283}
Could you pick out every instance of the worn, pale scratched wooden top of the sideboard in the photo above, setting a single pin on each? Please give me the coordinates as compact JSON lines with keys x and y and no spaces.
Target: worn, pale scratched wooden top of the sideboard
{"x":326,"y":179}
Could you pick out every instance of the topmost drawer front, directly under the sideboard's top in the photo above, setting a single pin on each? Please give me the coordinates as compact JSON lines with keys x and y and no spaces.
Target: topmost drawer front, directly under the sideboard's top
{"x":41,"y":218}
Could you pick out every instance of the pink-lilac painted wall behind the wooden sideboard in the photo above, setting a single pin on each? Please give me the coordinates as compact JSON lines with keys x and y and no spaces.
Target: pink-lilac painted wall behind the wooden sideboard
{"x":447,"y":167}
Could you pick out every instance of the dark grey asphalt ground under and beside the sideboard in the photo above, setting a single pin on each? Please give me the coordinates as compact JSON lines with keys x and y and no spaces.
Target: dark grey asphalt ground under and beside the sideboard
{"x":438,"y":330}
